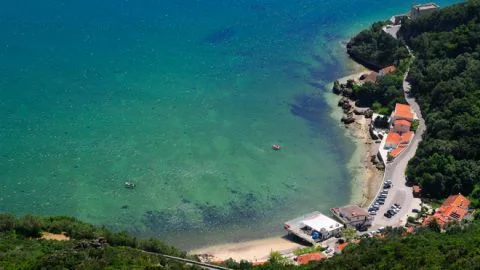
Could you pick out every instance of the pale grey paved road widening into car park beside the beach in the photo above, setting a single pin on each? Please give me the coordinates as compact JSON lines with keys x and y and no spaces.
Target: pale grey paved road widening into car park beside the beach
{"x":395,"y":171}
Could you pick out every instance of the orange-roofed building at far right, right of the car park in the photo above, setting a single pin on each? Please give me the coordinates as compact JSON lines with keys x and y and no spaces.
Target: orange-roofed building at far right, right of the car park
{"x":454,"y":209}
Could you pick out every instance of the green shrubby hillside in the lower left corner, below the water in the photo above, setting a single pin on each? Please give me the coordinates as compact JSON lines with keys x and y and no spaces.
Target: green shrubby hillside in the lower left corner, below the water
{"x":22,"y":248}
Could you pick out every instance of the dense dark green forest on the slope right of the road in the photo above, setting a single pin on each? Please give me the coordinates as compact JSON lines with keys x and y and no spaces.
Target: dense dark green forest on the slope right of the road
{"x":445,"y":78}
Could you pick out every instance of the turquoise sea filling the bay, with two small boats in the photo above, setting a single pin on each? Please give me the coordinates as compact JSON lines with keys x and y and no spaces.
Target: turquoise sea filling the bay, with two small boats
{"x":184,"y":99}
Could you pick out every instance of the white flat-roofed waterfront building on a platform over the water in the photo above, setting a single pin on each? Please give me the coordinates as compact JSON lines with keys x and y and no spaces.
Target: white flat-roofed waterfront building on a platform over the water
{"x":313,"y":227}
